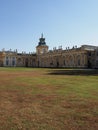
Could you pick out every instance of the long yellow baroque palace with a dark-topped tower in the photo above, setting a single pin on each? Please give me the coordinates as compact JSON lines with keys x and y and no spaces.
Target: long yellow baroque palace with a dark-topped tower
{"x":85,"y":56}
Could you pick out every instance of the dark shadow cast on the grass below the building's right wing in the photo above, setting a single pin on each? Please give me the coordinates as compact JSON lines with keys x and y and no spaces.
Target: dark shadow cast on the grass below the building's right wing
{"x":87,"y":72}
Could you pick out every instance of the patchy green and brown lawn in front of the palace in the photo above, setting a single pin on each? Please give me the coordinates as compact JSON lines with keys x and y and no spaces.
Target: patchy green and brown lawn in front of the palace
{"x":48,"y":99}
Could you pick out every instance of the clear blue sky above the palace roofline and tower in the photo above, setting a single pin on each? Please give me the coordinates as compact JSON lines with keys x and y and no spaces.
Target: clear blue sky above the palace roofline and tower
{"x":63,"y":23}
